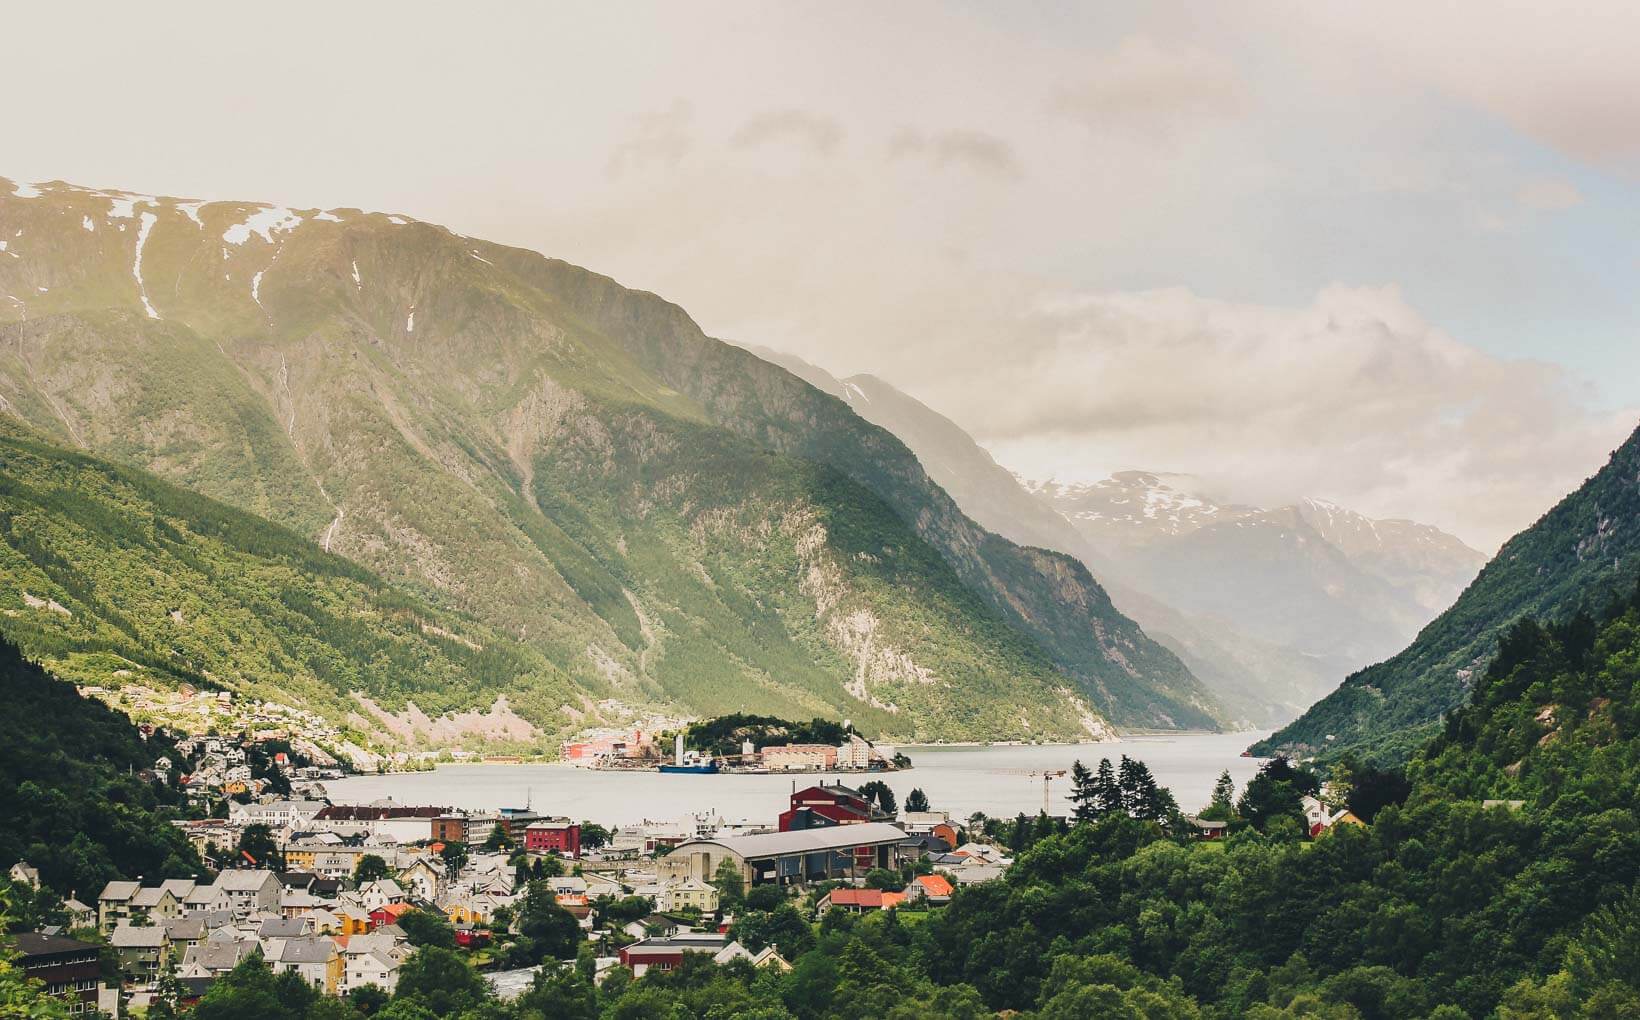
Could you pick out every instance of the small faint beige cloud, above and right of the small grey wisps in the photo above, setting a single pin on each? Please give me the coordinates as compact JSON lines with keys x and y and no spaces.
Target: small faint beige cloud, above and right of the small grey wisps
{"x":1150,"y":91}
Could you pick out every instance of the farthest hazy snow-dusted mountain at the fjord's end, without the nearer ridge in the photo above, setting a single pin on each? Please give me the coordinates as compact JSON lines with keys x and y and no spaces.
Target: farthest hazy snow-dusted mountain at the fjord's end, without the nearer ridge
{"x":1319,"y":590}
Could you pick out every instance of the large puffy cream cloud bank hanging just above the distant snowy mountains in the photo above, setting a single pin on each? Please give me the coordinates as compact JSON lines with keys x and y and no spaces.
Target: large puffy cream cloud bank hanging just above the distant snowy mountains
{"x":1354,"y":398}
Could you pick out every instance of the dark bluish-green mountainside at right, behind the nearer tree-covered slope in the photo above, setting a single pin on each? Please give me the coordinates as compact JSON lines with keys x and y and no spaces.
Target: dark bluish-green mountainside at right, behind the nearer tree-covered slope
{"x":1580,"y":555}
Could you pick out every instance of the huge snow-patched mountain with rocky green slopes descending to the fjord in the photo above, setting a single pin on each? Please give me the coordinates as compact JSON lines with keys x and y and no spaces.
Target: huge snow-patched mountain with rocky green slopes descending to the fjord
{"x":665,"y":519}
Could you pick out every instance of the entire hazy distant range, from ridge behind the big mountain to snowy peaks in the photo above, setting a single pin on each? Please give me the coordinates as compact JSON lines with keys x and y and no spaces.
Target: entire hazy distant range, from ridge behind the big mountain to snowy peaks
{"x":1272,"y":608}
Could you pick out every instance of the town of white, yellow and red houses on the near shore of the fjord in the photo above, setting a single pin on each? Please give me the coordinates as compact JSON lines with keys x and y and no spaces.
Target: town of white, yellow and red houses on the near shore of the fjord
{"x":345,"y":895}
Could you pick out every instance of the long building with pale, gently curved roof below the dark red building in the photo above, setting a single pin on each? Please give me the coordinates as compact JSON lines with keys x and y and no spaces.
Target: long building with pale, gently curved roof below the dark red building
{"x":813,"y":855}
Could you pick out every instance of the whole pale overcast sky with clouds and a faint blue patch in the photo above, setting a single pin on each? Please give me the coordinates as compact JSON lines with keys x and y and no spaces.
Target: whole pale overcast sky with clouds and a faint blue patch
{"x":1377,"y":253}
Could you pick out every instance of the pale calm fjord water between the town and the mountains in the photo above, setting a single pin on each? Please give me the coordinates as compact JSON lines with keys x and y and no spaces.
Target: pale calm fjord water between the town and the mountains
{"x":991,"y":780}
